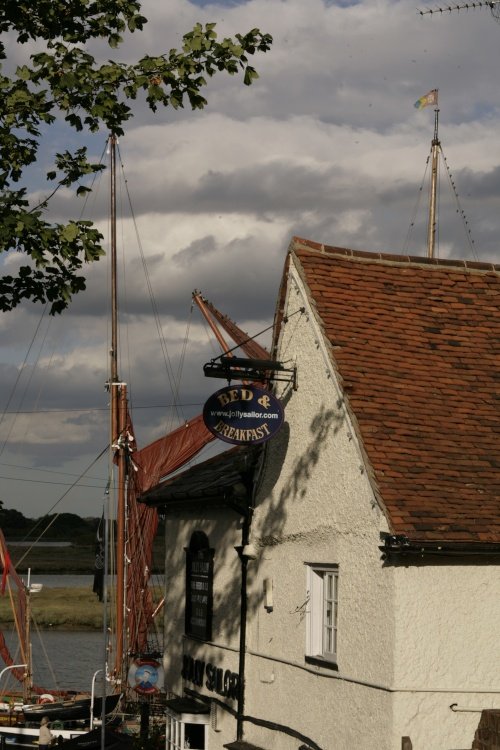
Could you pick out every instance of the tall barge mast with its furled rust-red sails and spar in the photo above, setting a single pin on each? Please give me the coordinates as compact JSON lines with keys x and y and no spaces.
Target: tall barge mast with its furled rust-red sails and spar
{"x":138,"y":471}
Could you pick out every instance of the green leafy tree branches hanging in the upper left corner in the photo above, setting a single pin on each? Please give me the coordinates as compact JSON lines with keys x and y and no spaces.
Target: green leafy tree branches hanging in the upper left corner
{"x":63,"y":80}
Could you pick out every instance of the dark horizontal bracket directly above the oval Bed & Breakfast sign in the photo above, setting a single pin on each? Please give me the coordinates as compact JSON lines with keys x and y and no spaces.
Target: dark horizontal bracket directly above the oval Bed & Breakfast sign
{"x":255,"y":370}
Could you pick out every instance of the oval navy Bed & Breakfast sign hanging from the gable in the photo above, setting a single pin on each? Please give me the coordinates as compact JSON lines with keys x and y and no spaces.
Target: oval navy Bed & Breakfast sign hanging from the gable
{"x":243,"y":414}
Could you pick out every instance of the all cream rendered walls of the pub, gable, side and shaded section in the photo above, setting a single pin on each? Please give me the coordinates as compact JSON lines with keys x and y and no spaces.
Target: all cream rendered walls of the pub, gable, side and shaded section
{"x":413,"y":639}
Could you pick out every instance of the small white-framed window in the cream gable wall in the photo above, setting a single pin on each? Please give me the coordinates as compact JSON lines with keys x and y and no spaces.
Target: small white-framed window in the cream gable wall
{"x":322,"y":611}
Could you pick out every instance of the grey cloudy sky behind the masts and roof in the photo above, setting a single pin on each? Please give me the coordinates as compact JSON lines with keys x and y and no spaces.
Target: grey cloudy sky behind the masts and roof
{"x":326,"y":145}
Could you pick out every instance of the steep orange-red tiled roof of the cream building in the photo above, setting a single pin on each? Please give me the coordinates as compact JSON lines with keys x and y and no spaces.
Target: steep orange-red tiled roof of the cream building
{"x":416,"y":343}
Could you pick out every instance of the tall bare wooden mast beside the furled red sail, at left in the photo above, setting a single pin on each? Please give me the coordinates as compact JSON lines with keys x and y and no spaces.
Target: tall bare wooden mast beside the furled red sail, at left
{"x":118,"y":392}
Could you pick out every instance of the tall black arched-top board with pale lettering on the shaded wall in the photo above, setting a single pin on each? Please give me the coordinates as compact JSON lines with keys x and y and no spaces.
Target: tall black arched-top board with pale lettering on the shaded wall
{"x":199,"y":587}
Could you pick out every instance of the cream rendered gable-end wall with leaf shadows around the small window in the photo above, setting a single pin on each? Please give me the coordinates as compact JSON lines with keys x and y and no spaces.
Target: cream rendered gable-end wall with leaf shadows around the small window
{"x":316,"y":505}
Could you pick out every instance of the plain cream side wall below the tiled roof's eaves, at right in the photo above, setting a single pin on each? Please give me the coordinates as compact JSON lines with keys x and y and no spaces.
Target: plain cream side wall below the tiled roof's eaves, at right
{"x":448,"y":652}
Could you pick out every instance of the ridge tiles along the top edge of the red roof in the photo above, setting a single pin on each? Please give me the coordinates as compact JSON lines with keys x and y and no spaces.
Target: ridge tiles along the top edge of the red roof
{"x":300,"y":243}
